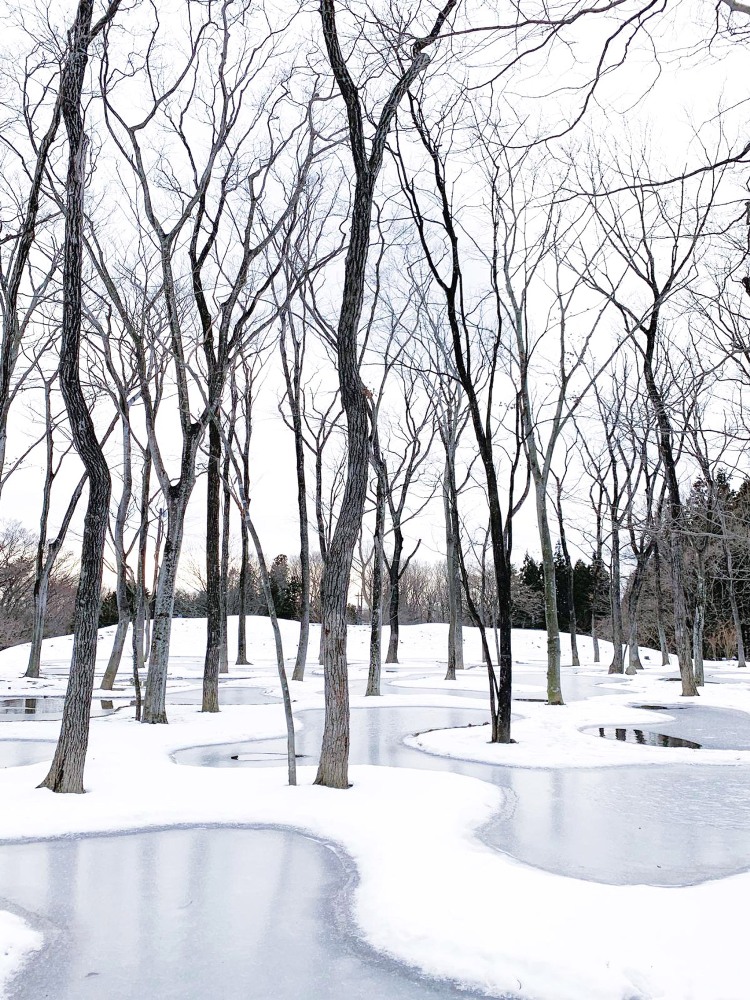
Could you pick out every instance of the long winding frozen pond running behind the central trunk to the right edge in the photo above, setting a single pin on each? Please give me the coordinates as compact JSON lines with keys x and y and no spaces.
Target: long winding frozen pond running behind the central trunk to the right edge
{"x":675,"y":824}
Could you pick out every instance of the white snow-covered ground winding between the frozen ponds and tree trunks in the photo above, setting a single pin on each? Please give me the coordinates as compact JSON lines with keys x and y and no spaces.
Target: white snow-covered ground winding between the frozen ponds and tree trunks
{"x":430,"y":892}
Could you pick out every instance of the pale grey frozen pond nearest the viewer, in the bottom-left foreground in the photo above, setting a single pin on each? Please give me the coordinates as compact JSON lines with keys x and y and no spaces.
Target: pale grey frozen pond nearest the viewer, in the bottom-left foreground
{"x":194,"y":914}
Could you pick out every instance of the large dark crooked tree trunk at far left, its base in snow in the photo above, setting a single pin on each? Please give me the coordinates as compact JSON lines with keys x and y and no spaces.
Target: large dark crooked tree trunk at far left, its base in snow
{"x":66,"y":771}
